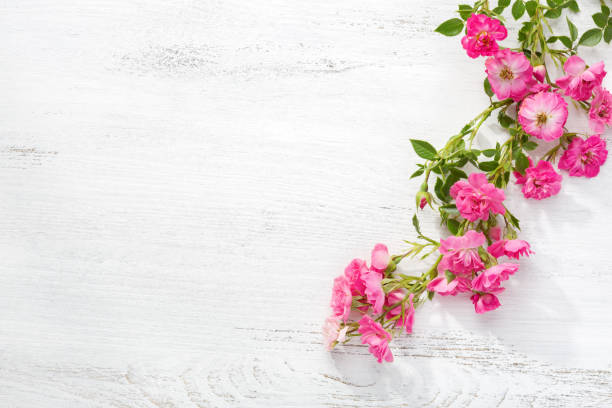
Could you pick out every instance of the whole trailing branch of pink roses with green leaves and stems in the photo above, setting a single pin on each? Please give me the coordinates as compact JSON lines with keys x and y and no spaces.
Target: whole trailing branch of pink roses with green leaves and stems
{"x":377,"y":302}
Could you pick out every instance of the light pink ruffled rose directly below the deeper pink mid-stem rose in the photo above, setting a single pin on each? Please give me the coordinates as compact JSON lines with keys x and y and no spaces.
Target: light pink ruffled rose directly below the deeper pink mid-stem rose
{"x":460,"y":254}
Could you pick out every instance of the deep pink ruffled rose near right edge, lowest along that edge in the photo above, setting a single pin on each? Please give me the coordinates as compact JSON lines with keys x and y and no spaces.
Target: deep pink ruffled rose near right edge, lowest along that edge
{"x":584,"y":157}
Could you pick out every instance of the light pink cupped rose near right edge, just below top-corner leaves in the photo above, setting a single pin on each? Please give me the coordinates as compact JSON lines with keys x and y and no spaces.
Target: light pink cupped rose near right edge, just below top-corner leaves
{"x":580,"y":81}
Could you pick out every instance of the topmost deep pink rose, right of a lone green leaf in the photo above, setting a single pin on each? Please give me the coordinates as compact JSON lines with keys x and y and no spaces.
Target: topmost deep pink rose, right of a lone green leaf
{"x":482,"y":35}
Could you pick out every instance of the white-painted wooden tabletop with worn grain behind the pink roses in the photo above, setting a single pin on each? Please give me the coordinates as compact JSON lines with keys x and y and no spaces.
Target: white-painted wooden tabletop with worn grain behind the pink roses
{"x":182,"y":179}
